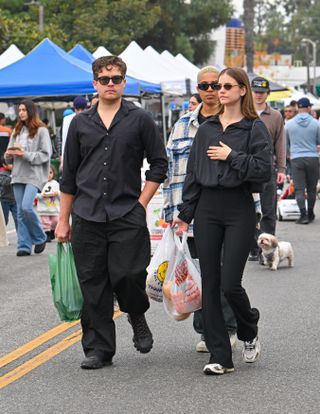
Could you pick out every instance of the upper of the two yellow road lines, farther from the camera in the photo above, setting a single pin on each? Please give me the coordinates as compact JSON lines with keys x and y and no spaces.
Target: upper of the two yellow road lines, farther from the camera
{"x":39,"y":340}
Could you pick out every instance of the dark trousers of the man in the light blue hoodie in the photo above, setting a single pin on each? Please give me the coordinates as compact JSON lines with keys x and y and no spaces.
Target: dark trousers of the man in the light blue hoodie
{"x":305,"y":175}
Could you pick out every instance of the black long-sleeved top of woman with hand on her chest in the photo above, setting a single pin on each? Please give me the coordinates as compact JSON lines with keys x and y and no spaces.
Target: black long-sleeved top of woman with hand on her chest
{"x":249,"y":162}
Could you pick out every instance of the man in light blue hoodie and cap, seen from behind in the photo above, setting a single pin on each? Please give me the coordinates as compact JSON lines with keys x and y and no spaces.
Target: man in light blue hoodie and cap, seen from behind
{"x":303,"y":136}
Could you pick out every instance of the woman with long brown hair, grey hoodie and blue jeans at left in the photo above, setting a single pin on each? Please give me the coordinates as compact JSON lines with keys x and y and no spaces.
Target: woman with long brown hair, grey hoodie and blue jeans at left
{"x":29,"y":150}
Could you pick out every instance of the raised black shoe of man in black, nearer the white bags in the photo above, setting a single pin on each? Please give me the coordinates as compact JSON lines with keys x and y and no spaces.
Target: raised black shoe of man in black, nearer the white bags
{"x":142,"y":336}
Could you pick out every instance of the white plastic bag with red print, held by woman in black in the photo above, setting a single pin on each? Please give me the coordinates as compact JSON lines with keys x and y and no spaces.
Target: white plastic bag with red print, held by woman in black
{"x":182,"y":285}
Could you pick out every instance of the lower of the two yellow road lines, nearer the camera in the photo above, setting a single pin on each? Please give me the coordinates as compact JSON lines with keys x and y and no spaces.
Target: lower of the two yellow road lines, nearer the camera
{"x":44,"y":356}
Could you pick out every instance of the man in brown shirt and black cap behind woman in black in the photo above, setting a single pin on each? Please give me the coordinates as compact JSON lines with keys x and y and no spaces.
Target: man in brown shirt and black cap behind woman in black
{"x":274,"y":123}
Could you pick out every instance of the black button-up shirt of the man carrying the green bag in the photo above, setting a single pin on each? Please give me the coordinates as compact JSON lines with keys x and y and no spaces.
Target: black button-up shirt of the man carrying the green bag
{"x":102,"y":167}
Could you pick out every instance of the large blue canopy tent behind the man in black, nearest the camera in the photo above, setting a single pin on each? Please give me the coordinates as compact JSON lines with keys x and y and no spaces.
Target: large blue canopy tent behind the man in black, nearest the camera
{"x":49,"y":71}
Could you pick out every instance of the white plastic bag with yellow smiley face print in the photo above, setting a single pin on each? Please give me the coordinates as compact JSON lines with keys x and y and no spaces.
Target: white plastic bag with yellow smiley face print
{"x":161,"y":262}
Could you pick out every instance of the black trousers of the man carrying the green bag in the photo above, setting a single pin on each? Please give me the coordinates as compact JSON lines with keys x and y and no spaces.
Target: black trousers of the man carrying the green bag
{"x":110,"y":257}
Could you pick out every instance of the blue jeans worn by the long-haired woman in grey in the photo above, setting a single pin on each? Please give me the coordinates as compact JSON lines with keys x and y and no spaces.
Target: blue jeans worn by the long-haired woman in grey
{"x":29,"y":227}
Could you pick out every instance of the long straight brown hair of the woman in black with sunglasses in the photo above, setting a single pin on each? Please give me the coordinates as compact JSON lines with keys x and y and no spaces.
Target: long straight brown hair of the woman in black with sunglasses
{"x":247,"y":105}
